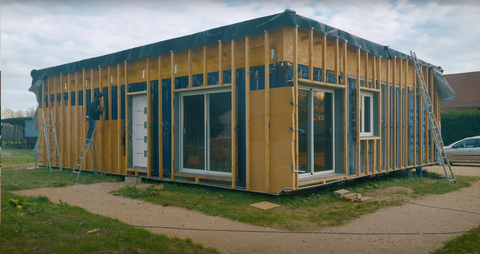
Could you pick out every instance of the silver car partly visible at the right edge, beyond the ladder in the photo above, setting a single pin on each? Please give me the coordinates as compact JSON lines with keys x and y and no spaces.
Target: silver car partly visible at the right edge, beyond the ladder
{"x":466,"y":150}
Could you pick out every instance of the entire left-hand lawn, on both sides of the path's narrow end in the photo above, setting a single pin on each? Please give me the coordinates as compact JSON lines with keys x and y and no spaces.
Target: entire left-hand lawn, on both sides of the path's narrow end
{"x":41,"y":226}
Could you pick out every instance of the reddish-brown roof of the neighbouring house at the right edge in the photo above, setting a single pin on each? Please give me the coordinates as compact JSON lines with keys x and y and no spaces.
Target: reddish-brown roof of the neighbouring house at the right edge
{"x":467,"y":91}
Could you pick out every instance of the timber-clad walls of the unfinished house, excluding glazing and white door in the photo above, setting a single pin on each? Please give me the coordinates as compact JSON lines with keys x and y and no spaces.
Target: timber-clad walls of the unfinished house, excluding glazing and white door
{"x":271,"y":145}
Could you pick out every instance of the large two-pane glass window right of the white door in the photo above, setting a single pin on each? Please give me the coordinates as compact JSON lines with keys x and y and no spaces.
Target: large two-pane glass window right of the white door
{"x":206,"y":137}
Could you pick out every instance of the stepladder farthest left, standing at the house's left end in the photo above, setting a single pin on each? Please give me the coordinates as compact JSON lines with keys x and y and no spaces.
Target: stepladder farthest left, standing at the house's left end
{"x":47,"y":152}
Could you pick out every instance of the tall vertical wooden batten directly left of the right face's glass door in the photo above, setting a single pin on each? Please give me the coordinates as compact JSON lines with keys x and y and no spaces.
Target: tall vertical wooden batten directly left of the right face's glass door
{"x":295,"y":86}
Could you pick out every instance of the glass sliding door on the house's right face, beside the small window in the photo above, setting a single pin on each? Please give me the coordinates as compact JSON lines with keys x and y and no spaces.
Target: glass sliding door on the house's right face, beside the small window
{"x":316,"y":132}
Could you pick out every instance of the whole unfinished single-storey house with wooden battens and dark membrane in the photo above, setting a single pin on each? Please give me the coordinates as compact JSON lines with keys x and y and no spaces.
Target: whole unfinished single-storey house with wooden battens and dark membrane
{"x":310,"y":105}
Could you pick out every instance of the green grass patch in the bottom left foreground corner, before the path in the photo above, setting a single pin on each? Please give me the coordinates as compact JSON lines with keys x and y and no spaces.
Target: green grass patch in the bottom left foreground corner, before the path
{"x":44,"y":227}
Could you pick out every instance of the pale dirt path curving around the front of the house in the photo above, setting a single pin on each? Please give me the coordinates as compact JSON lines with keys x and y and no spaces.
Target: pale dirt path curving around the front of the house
{"x":425,"y":215}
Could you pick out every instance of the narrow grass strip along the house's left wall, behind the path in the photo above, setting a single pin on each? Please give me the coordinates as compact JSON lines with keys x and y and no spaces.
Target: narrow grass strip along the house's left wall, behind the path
{"x":21,"y":179}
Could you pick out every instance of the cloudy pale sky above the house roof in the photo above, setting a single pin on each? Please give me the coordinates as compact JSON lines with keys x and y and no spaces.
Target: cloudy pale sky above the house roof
{"x":36,"y":34}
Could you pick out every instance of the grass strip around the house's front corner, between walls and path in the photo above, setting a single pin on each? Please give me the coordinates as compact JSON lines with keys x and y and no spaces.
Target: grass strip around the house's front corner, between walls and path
{"x":304,"y":212}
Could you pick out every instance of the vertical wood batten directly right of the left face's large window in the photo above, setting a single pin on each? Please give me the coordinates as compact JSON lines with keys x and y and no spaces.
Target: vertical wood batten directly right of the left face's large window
{"x":234,"y":119}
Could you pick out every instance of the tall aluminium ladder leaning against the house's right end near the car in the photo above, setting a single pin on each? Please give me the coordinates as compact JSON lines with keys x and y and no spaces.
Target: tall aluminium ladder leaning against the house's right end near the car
{"x":437,"y":134}
